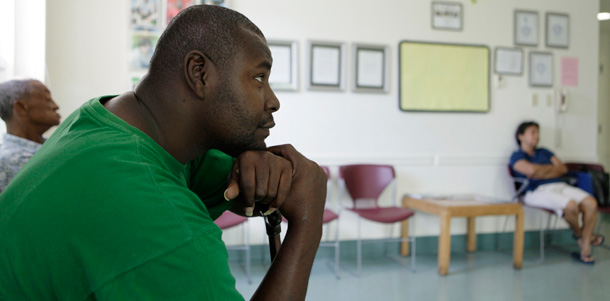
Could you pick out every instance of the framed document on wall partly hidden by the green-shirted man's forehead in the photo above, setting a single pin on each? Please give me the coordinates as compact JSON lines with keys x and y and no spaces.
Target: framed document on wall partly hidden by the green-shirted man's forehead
{"x":284,"y":73}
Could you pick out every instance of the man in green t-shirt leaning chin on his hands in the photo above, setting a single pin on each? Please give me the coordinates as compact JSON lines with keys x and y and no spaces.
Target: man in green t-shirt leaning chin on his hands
{"x":119,"y":203}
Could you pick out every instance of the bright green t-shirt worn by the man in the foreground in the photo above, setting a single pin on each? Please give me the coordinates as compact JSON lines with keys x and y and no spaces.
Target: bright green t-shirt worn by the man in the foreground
{"x":102,"y":212}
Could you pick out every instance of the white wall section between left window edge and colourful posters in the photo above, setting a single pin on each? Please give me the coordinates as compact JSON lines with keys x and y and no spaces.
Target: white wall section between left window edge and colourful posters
{"x":87,"y":50}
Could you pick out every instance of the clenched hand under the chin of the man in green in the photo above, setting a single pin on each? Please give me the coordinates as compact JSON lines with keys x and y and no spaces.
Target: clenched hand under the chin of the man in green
{"x":259,"y":178}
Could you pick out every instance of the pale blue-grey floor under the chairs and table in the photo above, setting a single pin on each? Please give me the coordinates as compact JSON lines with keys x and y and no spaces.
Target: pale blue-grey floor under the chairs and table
{"x":485,"y":275}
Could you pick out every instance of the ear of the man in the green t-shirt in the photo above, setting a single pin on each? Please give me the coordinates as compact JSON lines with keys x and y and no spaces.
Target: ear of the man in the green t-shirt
{"x":197,"y":72}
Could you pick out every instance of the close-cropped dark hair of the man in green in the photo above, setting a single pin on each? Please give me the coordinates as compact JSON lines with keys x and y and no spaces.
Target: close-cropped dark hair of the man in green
{"x":215,"y":31}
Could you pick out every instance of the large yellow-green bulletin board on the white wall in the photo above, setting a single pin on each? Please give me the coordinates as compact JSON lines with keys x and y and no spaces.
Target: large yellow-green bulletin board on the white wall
{"x":444,"y":77}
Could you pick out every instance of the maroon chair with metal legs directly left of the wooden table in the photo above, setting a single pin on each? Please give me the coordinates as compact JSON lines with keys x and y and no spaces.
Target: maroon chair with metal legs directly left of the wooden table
{"x":365,"y":183}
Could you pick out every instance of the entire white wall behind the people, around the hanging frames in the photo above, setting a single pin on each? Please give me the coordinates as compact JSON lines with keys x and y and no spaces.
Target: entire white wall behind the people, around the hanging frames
{"x":433,"y":153}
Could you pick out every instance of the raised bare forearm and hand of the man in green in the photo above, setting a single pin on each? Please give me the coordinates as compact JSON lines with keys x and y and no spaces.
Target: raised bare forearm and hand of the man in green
{"x":288,"y":275}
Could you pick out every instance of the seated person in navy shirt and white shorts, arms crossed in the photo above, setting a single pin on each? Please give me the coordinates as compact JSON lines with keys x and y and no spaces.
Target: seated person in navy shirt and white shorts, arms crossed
{"x":547,"y":190}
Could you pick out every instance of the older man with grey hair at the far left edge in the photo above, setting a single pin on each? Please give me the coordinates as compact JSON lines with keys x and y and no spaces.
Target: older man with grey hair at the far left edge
{"x":28,"y":110}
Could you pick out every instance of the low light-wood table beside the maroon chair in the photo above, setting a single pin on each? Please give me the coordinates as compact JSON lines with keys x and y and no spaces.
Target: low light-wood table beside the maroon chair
{"x":470,"y":209}
